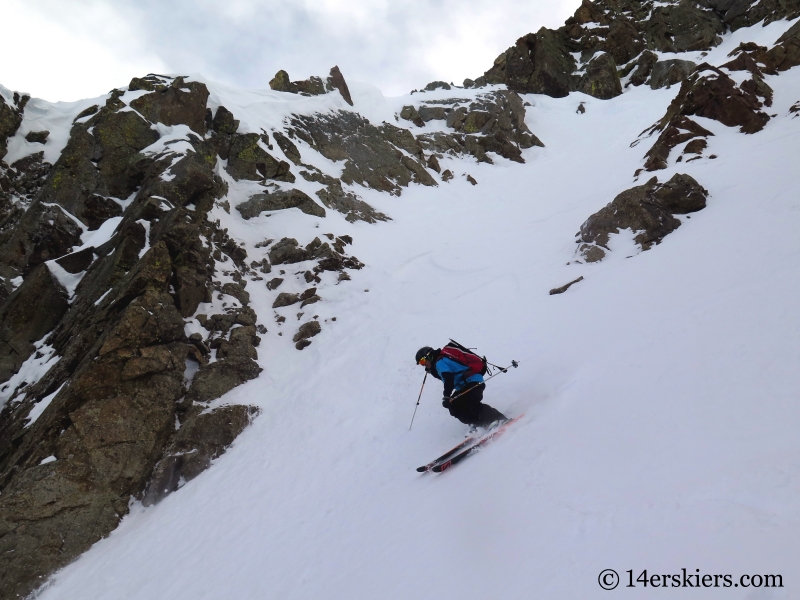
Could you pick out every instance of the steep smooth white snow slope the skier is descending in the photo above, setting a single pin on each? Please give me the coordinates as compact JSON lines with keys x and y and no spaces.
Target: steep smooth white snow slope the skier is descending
{"x":659,"y":394}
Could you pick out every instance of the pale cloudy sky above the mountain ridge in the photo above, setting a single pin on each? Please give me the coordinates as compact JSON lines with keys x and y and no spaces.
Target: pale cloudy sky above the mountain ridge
{"x":72,"y":49}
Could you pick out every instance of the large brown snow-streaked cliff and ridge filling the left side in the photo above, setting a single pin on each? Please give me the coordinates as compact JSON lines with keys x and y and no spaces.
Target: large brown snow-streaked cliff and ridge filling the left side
{"x":103,"y":405}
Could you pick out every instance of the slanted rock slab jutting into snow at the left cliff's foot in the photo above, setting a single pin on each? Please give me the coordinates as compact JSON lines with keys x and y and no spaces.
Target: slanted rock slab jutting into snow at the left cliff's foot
{"x":200,"y":440}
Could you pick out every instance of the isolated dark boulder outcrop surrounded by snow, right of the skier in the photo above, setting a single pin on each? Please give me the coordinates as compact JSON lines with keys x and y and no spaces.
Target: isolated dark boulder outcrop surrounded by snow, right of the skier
{"x":647,"y":209}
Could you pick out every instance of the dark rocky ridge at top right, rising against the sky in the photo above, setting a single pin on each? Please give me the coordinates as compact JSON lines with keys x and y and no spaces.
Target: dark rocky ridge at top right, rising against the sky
{"x":608,"y":41}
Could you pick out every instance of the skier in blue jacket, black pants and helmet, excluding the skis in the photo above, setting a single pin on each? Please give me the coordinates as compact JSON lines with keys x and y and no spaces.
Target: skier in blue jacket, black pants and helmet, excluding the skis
{"x":463,"y":388}
